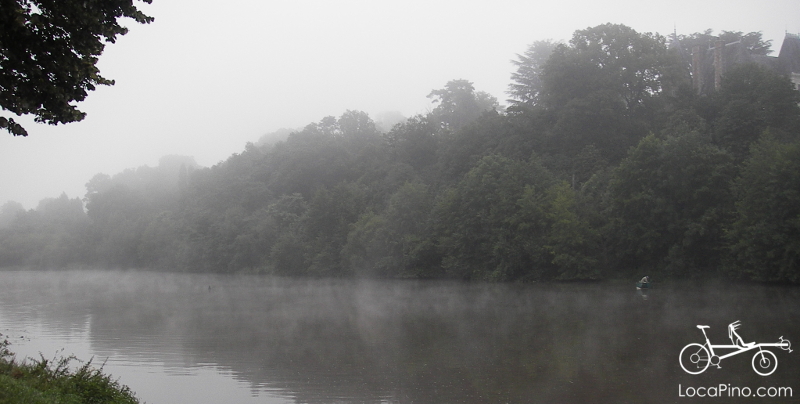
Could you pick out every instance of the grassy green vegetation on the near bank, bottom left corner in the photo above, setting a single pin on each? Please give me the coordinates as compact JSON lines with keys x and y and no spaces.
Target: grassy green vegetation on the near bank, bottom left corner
{"x":49,"y":382}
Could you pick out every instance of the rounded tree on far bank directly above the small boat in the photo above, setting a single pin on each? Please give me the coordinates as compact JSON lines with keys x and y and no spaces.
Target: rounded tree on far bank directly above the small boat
{"x":669,"y":201}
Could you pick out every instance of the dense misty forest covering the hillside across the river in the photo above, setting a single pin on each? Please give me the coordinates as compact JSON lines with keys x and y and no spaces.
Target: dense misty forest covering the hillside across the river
{"x":608,"y":163}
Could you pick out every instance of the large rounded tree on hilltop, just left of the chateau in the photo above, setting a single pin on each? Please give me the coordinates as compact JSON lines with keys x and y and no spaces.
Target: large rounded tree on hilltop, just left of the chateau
{"x":603,"y":87}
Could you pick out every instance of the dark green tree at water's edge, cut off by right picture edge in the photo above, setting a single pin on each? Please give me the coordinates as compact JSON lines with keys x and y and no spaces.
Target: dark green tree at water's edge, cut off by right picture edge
{"x":765,"y":236}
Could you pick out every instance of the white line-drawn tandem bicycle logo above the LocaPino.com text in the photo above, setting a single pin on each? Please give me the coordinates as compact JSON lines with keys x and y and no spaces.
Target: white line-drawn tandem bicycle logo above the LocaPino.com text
{"x":696,"y":358}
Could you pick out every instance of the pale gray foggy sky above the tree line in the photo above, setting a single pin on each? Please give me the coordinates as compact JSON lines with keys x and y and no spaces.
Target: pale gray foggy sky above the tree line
{"x":207,"y":76}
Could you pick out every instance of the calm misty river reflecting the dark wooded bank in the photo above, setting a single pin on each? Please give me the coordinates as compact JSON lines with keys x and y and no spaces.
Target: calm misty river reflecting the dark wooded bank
{"x":189,"y":338}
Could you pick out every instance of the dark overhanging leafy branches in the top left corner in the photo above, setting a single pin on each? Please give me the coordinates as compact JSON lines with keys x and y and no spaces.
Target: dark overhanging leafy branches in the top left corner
{"x":48,"y":55}
